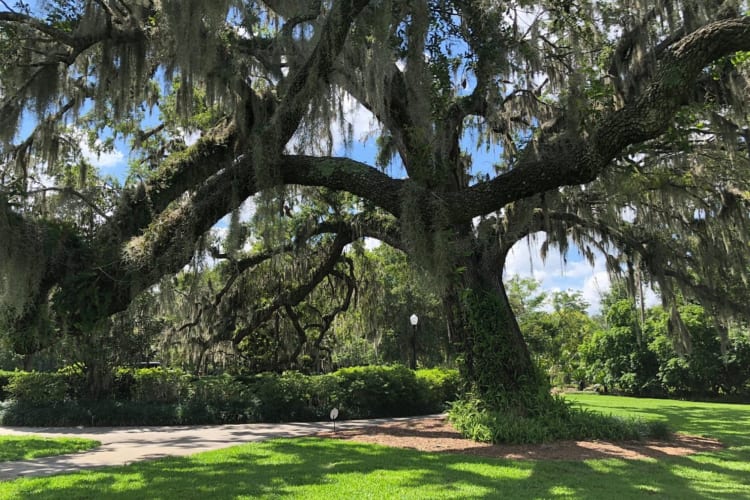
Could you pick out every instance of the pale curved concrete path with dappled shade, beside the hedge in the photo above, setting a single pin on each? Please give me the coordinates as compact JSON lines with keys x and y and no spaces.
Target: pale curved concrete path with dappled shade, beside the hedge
{"x":123,"y":445}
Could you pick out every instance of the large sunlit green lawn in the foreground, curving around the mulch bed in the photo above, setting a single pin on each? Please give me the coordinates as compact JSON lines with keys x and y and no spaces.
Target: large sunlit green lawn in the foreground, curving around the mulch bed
{"x":316,"y":468}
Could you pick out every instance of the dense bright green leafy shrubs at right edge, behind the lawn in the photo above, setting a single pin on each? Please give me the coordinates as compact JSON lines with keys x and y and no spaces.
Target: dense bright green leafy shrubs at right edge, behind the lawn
{"x":644,"y":358}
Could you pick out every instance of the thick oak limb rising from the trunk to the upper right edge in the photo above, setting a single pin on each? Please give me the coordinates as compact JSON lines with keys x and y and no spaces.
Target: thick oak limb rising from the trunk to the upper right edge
{"x":573,"y":159}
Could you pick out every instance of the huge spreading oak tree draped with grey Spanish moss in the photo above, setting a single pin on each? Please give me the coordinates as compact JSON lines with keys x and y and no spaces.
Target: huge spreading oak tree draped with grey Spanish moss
{"x":621,"y":127}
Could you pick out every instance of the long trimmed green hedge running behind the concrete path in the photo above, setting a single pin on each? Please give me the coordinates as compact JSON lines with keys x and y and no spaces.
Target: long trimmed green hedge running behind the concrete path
{"x":155,"y":396}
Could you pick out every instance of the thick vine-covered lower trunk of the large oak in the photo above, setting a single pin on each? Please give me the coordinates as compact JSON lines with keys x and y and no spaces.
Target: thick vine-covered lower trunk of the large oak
{"x":496,"y":362}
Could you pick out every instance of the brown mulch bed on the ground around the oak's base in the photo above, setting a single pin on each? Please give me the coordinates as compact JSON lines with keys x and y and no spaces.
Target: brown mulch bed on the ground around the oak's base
{"x":438,"y":435}
